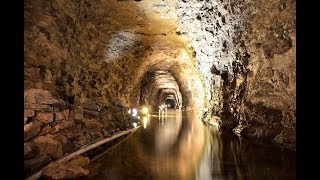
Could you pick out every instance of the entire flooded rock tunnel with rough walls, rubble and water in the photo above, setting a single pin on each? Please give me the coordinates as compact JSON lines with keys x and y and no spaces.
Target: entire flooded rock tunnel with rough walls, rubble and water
{"x":158,"y":89}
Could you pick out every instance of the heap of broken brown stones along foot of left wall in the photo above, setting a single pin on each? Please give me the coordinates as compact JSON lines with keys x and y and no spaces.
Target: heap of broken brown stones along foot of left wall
{"x":60,"y":132}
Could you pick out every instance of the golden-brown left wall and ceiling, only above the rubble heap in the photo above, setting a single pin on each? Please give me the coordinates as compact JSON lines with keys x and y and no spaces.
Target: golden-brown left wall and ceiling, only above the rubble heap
{"x":98,"y":51}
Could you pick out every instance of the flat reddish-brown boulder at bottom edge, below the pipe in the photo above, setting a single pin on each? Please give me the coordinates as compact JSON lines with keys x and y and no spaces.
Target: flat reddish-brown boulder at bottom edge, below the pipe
{"x":58,"y":170}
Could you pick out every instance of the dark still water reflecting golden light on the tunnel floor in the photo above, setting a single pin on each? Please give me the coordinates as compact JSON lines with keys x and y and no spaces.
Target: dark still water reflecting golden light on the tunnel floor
{"x":180,"y":146}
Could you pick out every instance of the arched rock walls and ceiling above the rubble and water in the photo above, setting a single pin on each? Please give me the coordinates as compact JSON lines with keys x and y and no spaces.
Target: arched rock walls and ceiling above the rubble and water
{"x":233,"y":59}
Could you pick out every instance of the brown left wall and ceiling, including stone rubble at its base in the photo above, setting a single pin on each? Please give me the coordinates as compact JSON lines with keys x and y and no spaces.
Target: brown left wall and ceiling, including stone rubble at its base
{"x":83,"y":54}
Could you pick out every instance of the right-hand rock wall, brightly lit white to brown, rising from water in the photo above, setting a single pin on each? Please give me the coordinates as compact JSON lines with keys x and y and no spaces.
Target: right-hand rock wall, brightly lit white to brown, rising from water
{"x":245,"y":51}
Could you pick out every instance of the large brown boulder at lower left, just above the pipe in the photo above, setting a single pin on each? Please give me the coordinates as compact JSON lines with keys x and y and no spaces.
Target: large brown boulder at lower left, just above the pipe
{"x":50,"y":146}
